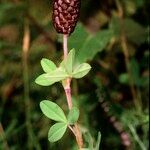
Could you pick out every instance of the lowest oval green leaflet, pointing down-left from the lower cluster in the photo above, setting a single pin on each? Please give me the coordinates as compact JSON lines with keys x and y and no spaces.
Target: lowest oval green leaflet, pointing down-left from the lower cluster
{"x":57,"y":131}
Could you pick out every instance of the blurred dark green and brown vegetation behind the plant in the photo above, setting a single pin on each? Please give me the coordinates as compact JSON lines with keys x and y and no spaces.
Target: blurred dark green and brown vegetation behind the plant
{"x":113,"y":36}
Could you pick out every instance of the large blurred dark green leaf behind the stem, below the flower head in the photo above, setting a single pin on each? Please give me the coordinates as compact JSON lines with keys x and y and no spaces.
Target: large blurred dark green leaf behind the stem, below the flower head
{"x":88,"y":45}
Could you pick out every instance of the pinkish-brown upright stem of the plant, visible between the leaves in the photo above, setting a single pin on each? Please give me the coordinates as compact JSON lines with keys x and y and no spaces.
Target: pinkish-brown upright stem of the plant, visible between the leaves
{"x":76,"y":131}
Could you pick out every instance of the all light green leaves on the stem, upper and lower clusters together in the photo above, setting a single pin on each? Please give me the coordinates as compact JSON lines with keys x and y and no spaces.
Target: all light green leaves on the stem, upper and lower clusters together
{"x":52,"y":75}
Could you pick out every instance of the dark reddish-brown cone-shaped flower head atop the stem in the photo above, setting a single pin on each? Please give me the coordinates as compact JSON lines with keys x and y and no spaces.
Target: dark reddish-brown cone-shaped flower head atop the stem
{"x":65,"y":15}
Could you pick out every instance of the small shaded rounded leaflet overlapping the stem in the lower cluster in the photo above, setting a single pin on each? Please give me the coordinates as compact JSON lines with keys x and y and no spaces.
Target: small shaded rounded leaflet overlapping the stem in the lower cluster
{"x":73,"y":115}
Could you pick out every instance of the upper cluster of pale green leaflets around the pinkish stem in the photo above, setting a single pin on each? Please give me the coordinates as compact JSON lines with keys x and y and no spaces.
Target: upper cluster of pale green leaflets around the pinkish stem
{"x":66,"y":70}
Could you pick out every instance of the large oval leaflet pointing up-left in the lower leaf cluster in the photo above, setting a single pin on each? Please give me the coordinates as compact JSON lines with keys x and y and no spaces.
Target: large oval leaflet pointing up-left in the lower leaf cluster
{"x":52,"y":111}
